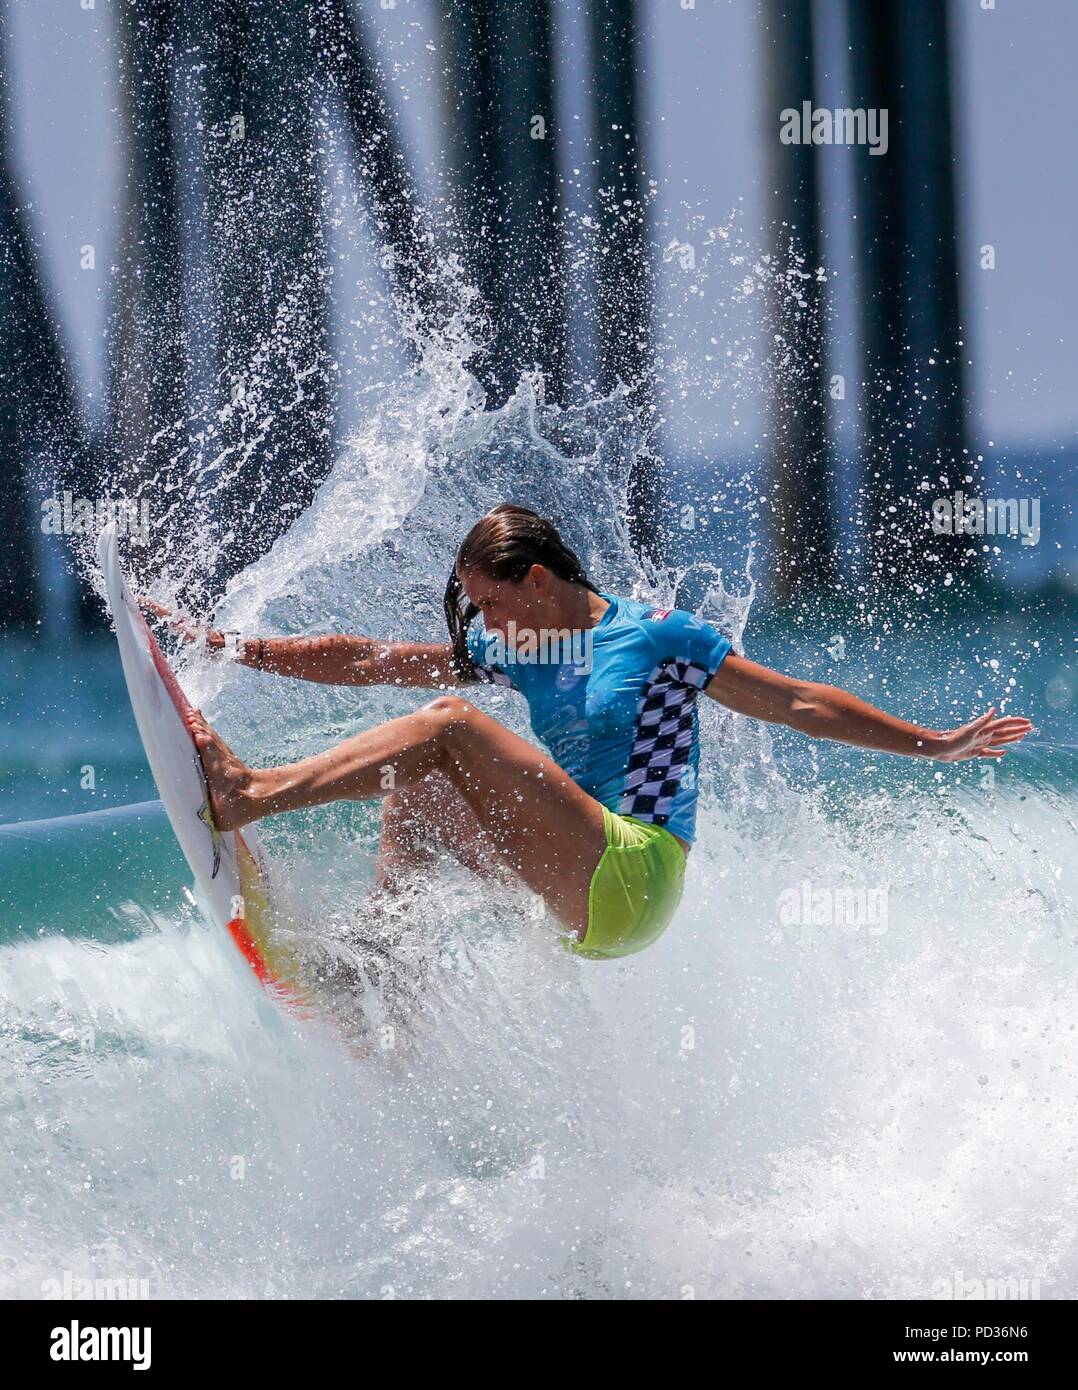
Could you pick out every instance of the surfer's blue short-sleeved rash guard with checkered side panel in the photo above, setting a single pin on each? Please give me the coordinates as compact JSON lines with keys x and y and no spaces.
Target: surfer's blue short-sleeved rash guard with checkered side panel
{"x":624,"y":723}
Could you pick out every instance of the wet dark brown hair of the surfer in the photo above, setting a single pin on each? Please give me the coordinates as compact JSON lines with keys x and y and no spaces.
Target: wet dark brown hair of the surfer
{"x":504,"y":546}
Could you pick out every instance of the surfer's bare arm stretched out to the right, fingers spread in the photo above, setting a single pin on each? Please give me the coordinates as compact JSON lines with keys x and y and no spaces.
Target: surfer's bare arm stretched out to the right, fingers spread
{"x":829,"y":712}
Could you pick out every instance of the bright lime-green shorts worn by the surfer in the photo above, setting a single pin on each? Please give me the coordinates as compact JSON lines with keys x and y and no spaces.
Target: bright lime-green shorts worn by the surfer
{"x":636,"y":889}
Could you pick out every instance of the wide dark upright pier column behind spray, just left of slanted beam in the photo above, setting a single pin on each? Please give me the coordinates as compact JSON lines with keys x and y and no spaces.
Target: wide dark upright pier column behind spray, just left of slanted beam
{"x":259,"y":106}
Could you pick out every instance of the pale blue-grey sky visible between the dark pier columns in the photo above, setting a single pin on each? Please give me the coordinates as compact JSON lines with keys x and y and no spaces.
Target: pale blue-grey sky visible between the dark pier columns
{"x":704,"y":130}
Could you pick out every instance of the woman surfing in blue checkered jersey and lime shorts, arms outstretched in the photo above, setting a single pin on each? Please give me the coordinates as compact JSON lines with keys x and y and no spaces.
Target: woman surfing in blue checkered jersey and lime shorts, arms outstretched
{"x":601,"y":824}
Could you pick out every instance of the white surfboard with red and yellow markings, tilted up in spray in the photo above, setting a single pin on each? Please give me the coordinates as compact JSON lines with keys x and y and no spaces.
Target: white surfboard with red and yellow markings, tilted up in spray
{"x":230,"y":867}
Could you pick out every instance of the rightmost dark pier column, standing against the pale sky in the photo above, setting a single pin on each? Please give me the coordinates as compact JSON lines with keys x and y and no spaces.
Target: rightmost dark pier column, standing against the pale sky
{"x":915,"y":420}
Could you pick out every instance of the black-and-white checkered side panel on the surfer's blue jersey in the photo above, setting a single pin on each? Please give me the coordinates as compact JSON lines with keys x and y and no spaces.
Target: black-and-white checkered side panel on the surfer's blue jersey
{"x":663,"y":744}
